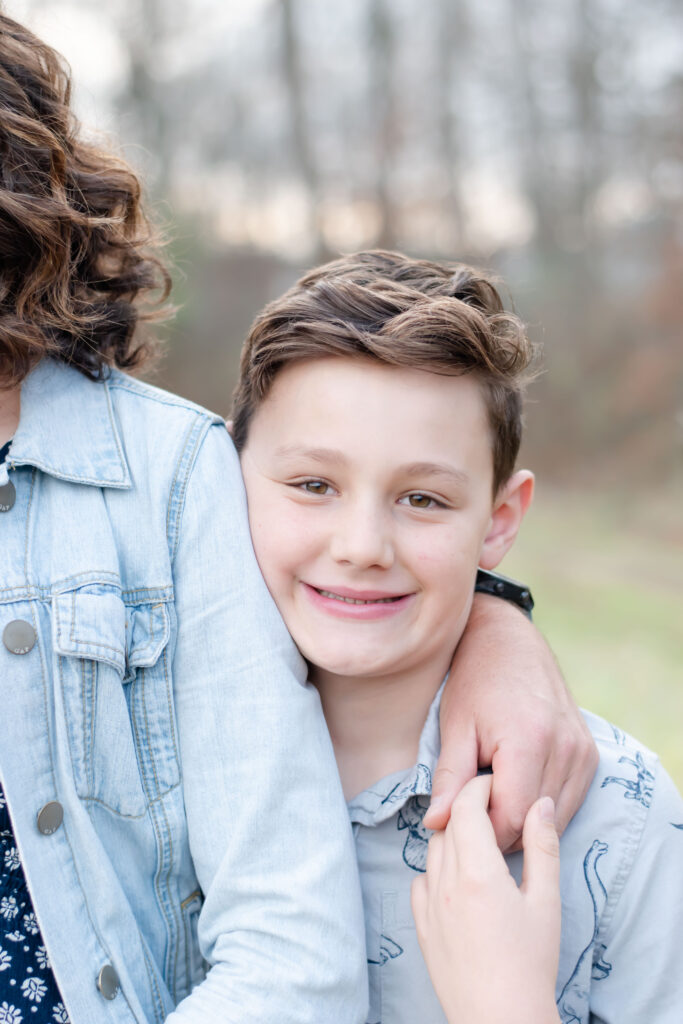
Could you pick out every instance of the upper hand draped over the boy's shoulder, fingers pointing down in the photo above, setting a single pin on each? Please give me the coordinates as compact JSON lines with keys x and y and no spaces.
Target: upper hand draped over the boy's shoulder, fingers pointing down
{"x":506,"y":706}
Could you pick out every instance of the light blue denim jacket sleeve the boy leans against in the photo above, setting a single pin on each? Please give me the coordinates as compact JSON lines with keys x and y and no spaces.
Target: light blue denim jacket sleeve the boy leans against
{"x":282,"y":924}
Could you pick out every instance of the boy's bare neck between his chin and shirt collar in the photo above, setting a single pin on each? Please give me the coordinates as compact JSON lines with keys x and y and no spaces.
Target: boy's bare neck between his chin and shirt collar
{"x":376,"y":723}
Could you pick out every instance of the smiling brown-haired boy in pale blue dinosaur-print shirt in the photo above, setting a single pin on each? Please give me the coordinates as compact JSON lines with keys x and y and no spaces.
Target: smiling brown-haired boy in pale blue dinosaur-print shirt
{"x":379,"y":418}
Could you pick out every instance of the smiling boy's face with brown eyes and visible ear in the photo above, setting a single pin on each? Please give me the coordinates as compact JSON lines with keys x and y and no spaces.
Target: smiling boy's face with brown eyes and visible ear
{"x":370,"y":505}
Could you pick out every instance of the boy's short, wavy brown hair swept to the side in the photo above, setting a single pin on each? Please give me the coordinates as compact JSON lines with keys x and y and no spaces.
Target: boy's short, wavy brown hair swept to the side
{"x":443,"y":318}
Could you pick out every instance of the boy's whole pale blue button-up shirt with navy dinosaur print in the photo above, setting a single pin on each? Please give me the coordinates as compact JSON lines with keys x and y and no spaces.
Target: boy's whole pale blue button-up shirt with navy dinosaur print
{"x":622,"y":883}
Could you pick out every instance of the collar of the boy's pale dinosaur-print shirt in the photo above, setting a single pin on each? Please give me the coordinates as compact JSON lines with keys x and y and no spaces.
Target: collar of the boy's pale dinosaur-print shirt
{"x":389,"y":796}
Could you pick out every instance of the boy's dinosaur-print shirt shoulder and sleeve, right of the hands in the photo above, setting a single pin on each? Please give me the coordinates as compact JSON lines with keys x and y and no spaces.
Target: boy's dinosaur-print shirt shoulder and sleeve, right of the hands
{"x":622,"y":887}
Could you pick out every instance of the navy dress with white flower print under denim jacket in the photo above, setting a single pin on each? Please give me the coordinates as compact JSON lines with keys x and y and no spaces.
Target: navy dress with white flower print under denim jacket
{"x":29,"y":994}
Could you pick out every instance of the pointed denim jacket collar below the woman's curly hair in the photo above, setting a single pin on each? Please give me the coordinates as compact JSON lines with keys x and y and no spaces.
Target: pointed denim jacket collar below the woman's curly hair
{"x":67,"y":429}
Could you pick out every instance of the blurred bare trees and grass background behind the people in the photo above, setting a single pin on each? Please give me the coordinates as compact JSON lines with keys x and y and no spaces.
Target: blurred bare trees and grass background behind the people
{"x":543,"y":139}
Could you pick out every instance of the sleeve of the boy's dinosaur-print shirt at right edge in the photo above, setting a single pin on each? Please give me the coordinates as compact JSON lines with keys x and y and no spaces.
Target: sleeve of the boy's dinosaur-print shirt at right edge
{"x":638,"y":959}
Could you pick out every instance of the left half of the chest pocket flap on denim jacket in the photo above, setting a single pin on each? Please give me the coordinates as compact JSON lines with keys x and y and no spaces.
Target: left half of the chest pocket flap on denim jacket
{"x":91,"y":626}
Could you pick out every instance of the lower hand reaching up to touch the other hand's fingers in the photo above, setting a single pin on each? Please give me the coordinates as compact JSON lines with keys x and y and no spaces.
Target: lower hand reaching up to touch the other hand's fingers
{"x":492,"y":948}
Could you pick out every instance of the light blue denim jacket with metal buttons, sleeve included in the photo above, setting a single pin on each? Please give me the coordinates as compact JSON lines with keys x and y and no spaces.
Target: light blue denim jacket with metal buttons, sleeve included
{"x":164,"y":707}
